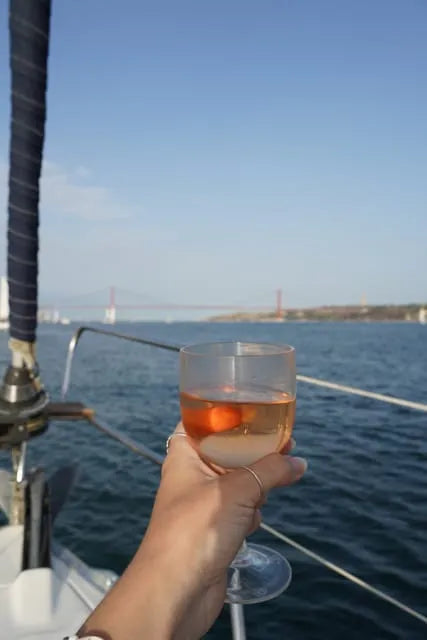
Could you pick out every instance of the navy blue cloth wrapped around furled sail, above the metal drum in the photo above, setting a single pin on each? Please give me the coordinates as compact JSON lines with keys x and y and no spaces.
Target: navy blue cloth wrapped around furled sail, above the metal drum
{"x":29,"y":22}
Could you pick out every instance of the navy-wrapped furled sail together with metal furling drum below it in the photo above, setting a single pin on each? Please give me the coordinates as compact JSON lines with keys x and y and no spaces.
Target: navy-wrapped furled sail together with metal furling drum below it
{"x":22,"y":398}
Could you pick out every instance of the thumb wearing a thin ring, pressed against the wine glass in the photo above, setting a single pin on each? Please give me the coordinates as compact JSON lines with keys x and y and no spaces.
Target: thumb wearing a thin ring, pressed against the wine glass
{"x":274,"y":470}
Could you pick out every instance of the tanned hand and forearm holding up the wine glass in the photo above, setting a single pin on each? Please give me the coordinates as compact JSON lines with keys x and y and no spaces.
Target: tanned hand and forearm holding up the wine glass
{"x":177,"y":579}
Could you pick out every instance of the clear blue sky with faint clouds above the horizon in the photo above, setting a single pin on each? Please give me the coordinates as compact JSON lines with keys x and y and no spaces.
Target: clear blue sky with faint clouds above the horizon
{"x":212,"y":152}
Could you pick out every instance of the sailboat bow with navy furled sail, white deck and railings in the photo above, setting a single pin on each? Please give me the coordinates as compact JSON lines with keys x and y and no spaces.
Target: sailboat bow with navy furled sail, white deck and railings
{"x":46,"y":592}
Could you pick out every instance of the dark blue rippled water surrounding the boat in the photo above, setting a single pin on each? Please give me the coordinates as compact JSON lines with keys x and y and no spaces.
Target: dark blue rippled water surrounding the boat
{"x":362,"y":503}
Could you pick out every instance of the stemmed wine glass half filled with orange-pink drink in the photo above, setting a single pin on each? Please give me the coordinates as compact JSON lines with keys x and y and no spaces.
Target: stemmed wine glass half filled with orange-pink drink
{"x":238,"y":405}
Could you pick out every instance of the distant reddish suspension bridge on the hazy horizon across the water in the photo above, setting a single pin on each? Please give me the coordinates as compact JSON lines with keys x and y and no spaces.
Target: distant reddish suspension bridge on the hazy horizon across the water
{"x":119,"y":302}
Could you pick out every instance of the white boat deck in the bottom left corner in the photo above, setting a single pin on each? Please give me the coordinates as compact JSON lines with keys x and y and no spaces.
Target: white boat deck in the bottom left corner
{"x":45,"y":604}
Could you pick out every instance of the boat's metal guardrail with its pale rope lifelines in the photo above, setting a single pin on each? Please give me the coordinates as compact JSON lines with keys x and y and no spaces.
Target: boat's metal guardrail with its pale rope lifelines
{"x":236,"y":611}
